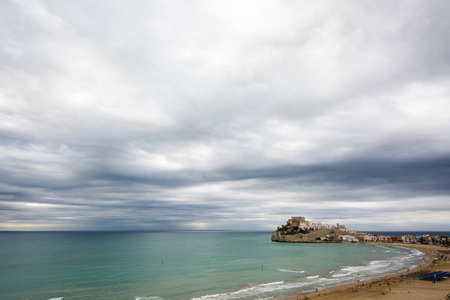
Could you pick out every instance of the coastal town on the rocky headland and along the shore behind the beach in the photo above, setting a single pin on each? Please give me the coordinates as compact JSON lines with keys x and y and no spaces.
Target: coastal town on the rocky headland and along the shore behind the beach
{"x":299,"y":230}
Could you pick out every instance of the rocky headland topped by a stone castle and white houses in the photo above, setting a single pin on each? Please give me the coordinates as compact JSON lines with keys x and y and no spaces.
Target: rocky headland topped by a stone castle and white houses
{"x":299,"y":230}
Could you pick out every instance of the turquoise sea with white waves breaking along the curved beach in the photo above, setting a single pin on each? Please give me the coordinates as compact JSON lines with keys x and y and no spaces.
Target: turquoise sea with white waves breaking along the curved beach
{"x":181,"y":265}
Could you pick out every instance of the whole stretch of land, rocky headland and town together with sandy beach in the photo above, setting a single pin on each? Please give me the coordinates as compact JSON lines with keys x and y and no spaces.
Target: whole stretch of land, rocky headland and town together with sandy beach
{"x":426,"y":281}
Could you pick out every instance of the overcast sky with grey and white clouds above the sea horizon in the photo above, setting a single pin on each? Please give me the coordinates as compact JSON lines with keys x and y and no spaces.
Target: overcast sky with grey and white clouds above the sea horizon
{"x":224,"y":115}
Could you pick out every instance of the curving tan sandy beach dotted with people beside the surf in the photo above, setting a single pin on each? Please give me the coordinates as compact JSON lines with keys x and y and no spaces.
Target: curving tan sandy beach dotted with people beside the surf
{"x":392,"y":286}
